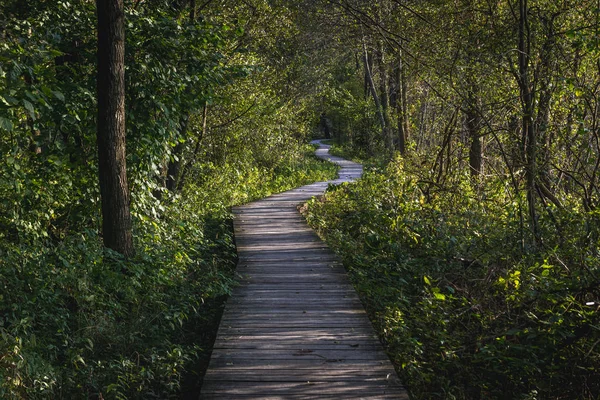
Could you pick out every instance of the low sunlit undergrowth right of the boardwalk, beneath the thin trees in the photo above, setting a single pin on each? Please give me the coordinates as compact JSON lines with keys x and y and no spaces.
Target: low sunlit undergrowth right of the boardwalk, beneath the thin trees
{"x":465,"y":309}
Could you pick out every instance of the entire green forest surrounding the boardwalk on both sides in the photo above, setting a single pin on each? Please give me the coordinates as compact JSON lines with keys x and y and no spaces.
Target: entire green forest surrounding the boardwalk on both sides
{"x":473,"y":238}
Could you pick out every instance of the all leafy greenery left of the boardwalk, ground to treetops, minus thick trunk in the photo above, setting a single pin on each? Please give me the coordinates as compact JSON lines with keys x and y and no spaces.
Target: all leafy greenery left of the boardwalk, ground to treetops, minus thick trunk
{"x":80,"y":321}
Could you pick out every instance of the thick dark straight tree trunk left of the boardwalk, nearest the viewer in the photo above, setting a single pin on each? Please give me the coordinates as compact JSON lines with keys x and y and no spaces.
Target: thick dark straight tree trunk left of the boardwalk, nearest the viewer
{"x":114,"y":191}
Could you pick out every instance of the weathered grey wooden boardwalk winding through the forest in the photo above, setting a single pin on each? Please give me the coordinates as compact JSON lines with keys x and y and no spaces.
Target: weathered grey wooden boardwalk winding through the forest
{"x":295,"y":328}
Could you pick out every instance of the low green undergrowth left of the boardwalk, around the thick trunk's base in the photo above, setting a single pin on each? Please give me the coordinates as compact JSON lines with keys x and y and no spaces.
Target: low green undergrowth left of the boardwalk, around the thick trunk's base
{"x":77,"y":321}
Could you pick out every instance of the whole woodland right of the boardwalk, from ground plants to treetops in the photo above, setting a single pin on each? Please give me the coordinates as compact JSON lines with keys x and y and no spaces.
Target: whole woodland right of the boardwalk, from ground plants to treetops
{"x":474,"y":239}
